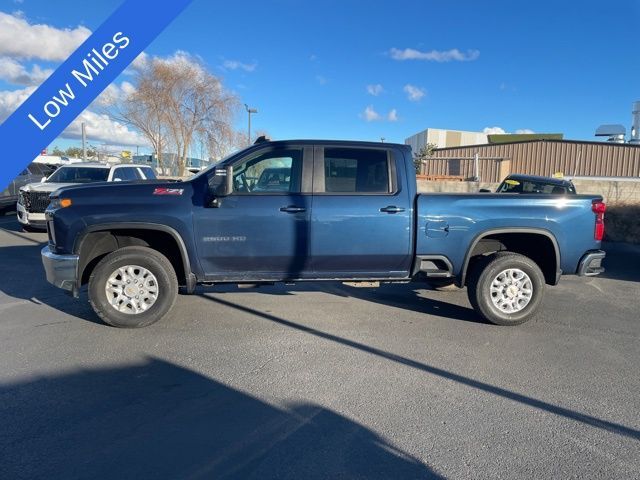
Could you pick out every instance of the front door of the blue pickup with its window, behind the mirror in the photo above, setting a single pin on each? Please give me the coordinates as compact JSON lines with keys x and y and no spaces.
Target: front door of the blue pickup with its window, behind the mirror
{"x":260,"y":231}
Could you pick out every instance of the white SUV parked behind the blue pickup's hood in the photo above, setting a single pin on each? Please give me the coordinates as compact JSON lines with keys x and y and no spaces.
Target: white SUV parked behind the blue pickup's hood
{"x":34,"y":197}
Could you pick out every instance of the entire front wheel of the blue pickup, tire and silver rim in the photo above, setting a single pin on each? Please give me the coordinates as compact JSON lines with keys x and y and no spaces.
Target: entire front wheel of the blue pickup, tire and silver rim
{"x":133,"y":287}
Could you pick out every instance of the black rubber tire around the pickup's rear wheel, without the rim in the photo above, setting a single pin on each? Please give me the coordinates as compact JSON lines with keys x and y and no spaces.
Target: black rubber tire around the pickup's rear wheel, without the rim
{"x":482,"y":276}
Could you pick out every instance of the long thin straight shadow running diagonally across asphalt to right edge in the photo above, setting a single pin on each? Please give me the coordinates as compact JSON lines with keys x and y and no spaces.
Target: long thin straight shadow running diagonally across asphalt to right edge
{"x":470,"y":382}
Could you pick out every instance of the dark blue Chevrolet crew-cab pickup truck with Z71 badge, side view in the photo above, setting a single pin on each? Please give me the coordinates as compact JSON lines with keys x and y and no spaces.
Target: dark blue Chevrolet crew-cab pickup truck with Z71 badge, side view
{"x":313,"y":210}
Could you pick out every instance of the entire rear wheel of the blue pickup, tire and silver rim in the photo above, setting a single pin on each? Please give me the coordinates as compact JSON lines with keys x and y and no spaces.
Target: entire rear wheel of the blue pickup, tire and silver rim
{"x":506,"y":288}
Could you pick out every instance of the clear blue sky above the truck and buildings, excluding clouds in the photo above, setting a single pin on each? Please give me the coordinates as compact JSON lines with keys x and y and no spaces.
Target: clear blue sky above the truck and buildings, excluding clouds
{"x":544,"y":66}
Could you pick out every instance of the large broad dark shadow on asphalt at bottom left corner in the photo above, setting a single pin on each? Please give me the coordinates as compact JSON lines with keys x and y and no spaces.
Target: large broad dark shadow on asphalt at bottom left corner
{"x":159,"y":420}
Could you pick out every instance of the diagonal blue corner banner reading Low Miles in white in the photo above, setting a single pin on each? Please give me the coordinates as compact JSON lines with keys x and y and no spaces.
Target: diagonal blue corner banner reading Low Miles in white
{"x":80,"y":79}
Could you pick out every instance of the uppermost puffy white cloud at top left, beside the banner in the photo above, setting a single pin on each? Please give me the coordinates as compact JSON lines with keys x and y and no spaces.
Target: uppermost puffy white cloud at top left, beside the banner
{"x":20,"y":39}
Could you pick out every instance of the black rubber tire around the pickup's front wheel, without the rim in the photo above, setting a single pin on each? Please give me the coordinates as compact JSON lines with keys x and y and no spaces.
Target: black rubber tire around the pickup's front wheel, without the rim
{"x":147,"y":258}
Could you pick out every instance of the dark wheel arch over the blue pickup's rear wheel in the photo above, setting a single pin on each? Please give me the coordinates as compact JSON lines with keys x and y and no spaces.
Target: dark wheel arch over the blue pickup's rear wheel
{"x":551,"y":270}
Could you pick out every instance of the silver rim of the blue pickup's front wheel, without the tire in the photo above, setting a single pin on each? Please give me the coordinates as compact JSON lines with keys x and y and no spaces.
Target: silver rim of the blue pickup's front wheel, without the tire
{"x":132,"y":289}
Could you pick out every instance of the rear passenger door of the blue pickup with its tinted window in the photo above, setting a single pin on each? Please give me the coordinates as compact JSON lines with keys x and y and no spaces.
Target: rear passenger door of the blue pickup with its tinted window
{"x":361,"y":223}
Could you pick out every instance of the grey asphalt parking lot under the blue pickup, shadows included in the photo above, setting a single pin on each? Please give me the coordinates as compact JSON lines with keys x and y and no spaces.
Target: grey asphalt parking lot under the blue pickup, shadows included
{"x":319,"y":381}
